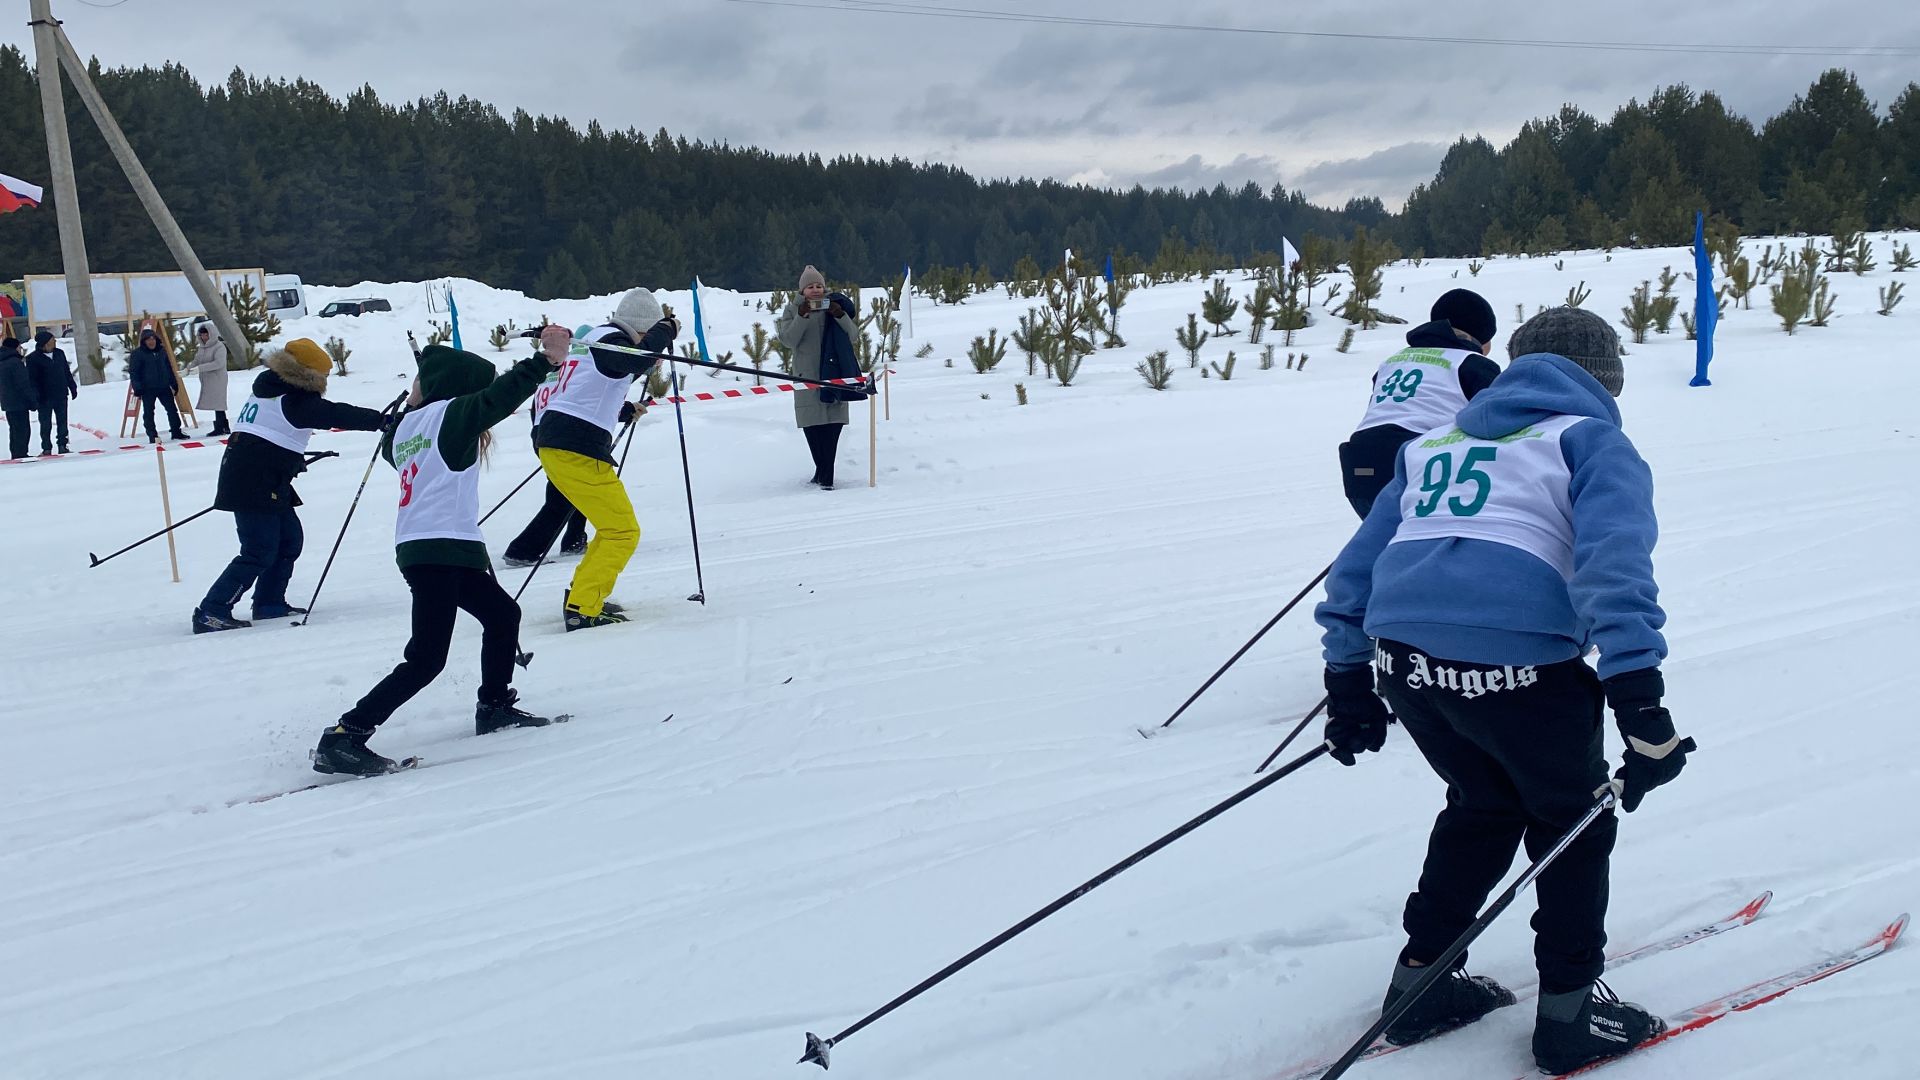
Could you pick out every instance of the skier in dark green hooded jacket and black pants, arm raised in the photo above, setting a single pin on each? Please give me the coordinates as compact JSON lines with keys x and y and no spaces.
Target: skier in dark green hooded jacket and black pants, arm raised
{"x":437,"y":449}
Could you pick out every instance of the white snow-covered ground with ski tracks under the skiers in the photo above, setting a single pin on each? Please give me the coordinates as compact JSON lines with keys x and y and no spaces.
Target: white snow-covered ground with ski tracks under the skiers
{"x":907,"y":718}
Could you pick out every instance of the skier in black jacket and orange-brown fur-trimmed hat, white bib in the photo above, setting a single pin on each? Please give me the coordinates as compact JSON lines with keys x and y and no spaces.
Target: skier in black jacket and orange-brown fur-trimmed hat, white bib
{"x":258,"y":468}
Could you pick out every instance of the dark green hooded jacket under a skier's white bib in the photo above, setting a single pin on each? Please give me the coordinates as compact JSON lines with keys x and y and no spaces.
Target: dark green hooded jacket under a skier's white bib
{"x":479,"y":401}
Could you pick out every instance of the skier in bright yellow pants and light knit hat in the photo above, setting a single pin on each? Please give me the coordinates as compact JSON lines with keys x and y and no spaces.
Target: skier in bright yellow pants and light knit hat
{"x":575,"y":443}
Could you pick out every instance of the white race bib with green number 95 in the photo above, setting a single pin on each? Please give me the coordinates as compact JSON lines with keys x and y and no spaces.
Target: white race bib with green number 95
{"x":1512,"y":491}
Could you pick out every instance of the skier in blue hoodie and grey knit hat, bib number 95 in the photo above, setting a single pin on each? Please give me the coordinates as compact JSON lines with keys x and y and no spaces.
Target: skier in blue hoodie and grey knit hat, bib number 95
{"x":1504,"y":547}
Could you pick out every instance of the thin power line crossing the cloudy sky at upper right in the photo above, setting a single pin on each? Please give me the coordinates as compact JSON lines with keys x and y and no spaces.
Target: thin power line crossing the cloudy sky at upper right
{"x":1005,"y":16}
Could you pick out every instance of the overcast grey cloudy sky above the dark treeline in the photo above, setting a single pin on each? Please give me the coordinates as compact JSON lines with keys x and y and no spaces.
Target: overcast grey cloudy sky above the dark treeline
{"x":1101,"y":105}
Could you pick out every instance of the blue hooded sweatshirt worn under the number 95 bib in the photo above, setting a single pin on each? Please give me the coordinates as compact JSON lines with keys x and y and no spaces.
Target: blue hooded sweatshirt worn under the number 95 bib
{"x":1485,"y":602}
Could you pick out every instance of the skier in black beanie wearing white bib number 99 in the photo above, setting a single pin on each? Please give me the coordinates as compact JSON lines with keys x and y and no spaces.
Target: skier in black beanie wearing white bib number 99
{"x":1420,"y":387}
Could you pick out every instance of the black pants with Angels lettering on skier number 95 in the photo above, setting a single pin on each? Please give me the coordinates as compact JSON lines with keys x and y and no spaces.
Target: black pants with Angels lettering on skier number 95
{"x":1524,"y":756}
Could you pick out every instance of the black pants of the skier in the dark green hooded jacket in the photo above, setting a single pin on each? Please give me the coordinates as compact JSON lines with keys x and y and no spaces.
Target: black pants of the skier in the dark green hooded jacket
{"x":441,"y":593}
